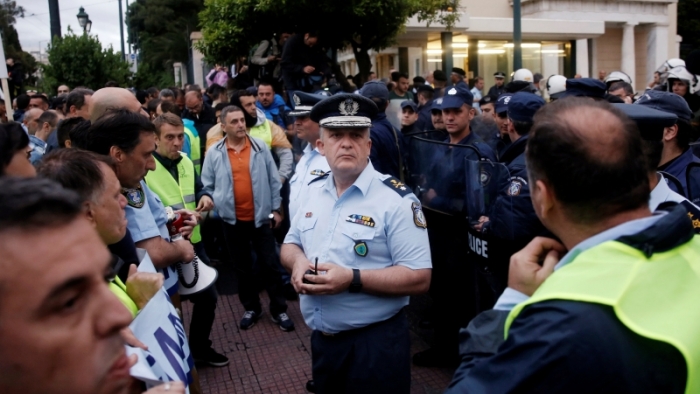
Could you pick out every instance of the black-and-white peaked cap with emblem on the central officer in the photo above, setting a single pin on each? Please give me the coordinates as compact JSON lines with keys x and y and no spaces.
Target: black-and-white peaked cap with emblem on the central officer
{"x":344,"y":111}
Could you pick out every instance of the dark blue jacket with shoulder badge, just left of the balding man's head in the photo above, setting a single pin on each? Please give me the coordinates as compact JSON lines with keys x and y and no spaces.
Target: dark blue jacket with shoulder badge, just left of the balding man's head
{"x":513,"y":216}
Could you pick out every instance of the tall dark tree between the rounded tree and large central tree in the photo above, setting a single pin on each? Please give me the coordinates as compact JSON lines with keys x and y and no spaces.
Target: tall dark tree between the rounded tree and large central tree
{"x":160,"y":31}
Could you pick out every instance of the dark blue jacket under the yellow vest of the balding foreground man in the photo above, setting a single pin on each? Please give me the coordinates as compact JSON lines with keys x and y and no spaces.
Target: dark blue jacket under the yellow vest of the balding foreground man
{"x":562,"y":346}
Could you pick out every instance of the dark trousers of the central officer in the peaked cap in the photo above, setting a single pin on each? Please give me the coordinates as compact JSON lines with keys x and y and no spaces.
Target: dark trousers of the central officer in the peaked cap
{"x":372,"y":359}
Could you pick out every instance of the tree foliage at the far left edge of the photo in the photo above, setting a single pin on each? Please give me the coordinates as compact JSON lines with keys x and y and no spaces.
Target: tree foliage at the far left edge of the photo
{"x":9,"y":12}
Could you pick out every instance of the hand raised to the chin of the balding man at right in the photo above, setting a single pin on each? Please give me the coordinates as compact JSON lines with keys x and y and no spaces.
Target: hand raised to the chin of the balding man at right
{"x":531,"y":266}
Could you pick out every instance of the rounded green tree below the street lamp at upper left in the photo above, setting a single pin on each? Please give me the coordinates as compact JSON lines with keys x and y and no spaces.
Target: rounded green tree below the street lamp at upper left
{"x":80,"y":60}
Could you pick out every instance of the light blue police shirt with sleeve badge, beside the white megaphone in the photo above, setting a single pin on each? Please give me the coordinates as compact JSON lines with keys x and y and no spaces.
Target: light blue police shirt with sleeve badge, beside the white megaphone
{"x":151,"y":221}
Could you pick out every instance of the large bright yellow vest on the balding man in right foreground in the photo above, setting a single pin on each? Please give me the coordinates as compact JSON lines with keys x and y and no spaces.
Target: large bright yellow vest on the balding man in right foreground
{"x":656,"y":297}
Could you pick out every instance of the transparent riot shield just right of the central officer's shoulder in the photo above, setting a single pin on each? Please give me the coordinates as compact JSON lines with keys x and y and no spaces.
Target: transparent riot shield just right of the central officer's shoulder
{"x":436,"y":171}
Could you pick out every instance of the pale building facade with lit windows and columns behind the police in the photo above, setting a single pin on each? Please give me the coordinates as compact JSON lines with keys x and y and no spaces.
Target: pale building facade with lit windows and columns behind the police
{"x":565,"y":37}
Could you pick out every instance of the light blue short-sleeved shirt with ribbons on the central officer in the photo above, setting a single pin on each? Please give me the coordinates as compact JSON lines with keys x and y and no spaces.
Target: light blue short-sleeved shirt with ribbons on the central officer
{"x":368,"y":218}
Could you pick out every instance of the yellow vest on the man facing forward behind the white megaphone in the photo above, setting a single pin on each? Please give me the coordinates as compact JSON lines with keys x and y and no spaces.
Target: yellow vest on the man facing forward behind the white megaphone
{"x":177,"y":195}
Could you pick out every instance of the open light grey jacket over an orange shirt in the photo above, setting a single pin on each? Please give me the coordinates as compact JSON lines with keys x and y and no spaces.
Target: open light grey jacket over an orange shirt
{"x":218,"y":181}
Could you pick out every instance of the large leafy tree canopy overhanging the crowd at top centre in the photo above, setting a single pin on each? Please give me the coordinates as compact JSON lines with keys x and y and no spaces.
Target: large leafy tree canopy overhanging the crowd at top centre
{"x":231,"y":27}
